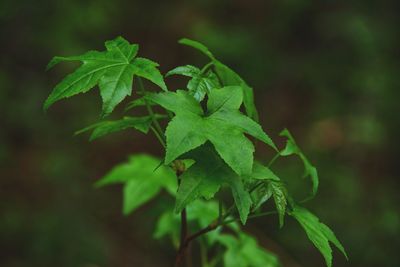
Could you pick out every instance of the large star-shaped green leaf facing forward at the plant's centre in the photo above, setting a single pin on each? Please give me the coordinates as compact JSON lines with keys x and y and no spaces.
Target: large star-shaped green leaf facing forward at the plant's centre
{"x":190,"y":128}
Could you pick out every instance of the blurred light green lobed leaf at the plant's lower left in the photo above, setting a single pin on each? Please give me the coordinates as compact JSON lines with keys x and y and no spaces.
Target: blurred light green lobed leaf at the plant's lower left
{"x":141,"y":181}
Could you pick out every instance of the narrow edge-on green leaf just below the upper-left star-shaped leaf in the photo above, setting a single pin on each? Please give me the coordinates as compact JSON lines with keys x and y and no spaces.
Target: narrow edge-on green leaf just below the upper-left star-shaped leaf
{"x":106,"y":127}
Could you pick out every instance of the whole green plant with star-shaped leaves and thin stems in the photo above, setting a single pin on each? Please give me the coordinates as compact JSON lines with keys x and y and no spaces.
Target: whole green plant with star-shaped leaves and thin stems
{"x":209,"y":150}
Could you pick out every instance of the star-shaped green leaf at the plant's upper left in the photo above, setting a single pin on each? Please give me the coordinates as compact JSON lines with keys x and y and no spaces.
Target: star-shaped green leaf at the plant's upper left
{"x":112,"y":70}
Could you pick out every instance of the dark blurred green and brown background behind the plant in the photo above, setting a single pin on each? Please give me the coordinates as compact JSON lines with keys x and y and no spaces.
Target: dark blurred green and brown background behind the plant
{"x":327,"y":70}
